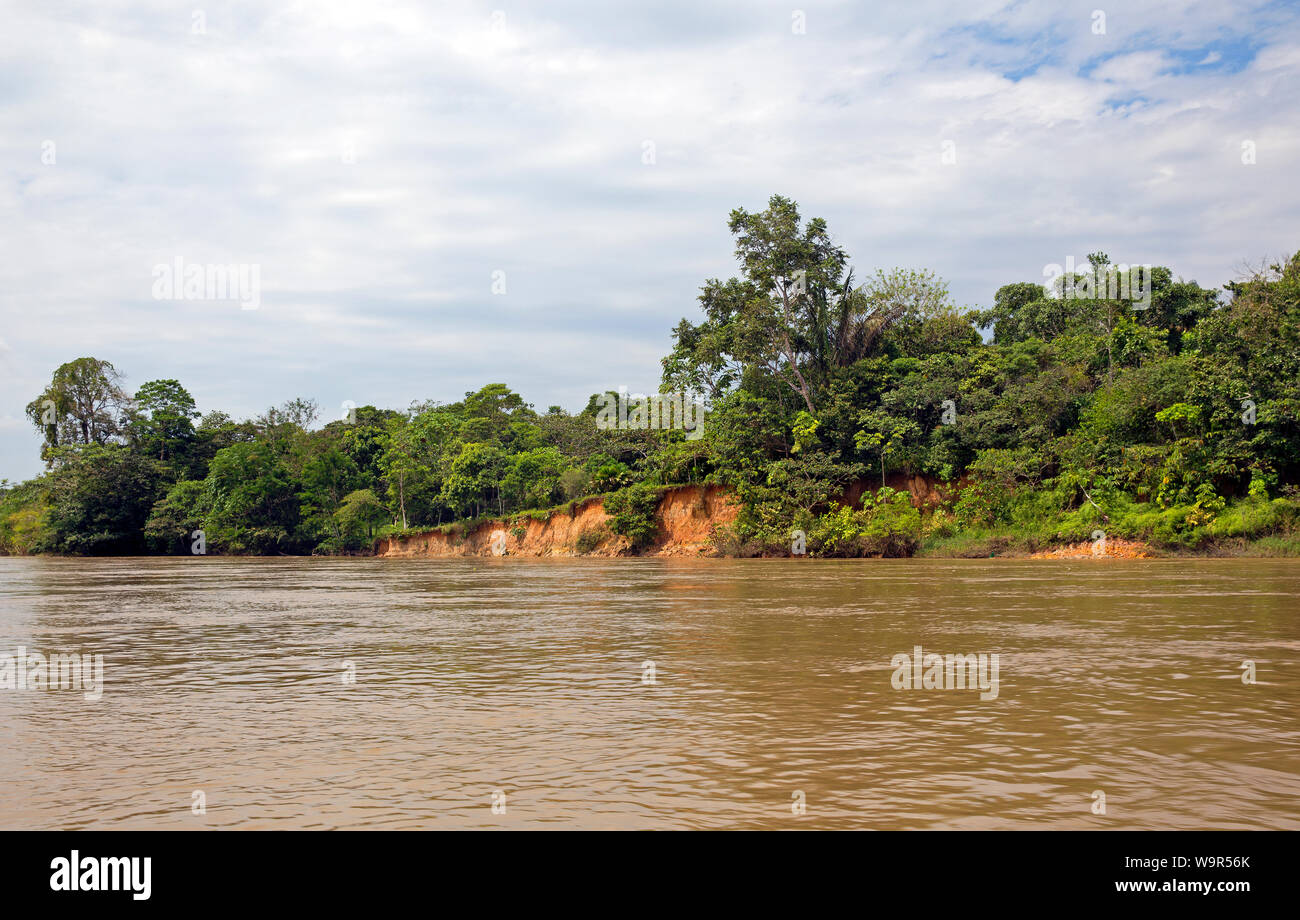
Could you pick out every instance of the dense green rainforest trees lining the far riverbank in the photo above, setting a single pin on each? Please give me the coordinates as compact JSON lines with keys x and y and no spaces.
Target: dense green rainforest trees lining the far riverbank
{"x":1172,"y":419}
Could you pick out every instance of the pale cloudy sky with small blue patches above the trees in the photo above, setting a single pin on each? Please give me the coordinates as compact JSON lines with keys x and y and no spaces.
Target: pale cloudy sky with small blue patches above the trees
{"x":437,"y":197}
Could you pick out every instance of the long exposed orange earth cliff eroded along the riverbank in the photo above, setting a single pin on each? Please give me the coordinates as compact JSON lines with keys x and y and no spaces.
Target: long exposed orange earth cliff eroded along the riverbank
{"x":687,"y":519}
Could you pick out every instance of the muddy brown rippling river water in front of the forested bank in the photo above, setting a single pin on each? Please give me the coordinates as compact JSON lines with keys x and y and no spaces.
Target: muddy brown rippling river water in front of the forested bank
{"x":772,"y":678}
